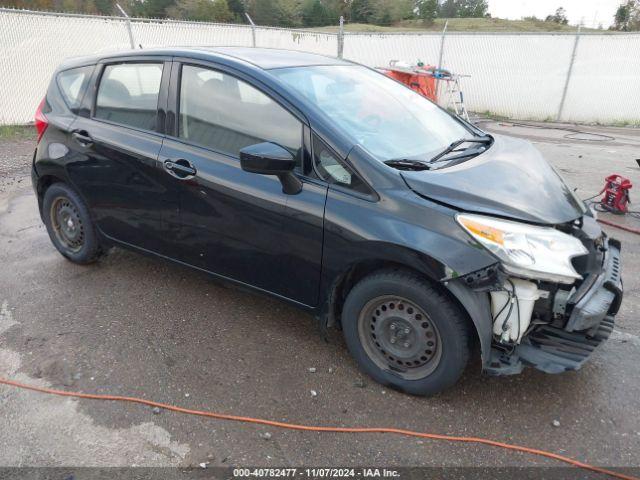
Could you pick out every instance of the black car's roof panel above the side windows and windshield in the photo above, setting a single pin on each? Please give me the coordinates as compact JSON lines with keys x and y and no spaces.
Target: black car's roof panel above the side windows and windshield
{"x":263,"y":58}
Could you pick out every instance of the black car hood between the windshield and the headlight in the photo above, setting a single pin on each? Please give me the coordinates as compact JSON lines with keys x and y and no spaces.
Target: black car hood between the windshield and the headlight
{"x":511,"y":179}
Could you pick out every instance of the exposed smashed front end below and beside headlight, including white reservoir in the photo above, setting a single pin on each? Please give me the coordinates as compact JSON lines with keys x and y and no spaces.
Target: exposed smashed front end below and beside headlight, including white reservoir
{"x":555,"y":327}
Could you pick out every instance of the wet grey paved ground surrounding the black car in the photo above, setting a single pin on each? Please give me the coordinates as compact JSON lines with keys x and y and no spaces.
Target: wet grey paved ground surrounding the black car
{"x":139,"y":326}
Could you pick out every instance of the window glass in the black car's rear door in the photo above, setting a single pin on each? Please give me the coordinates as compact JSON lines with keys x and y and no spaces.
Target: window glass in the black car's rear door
{"x":128,"y":94}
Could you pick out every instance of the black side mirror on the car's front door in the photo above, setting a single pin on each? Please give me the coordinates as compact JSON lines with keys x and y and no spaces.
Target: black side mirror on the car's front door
{"x":270,"y":159}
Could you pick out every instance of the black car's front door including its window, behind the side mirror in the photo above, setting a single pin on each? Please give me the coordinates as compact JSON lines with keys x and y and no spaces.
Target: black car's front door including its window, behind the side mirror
{"x":237,"y":224}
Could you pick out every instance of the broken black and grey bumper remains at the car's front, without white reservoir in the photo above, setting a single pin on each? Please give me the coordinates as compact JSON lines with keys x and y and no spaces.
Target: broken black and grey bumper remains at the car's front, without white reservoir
{"x":567,"y":342}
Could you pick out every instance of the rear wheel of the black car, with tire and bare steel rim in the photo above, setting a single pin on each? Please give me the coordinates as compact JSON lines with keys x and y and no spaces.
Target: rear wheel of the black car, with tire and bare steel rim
{"x":77,"y":241}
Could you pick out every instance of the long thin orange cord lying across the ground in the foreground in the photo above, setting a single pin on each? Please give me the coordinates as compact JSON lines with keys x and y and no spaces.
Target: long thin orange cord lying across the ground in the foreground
{"x":310,"y":428}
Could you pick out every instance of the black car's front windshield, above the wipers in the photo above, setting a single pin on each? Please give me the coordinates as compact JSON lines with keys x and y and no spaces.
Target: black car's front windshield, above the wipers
{"x":383,"y":116}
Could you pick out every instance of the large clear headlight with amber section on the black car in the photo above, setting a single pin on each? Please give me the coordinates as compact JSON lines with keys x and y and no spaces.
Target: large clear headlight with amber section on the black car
{"x":541,"y":253}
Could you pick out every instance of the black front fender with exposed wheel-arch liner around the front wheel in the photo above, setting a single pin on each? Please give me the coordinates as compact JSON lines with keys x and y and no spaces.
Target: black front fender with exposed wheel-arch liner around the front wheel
{"x":402,"y":230}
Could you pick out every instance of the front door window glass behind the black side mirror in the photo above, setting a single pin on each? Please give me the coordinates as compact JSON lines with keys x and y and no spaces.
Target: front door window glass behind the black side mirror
{"x":220,"y":112}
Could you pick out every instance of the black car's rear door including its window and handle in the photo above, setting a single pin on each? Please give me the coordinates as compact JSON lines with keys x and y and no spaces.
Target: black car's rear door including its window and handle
{"x":115,"y":162}
